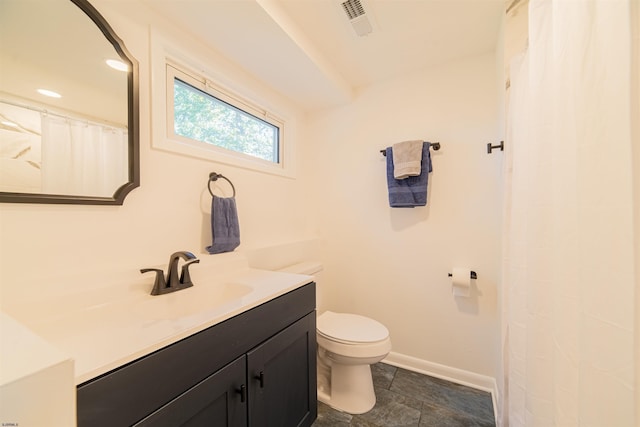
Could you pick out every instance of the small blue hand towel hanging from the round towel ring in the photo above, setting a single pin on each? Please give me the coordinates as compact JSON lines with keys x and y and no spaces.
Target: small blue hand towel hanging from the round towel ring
{"x":224,"y":225}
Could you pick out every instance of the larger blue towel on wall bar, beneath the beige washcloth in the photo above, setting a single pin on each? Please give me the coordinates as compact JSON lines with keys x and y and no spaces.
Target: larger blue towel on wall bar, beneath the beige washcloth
{"x":412,"y":191}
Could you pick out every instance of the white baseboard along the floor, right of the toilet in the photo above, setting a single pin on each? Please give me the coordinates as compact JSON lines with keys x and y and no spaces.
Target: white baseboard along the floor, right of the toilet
{"x":448,"y":373}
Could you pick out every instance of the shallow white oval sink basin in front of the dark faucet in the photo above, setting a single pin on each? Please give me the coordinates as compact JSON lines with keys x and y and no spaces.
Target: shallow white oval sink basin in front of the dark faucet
{"x":192,"y":301}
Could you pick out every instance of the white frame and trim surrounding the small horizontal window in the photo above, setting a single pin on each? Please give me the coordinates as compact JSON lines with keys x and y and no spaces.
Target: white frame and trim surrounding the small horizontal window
{"x":230,"y":78}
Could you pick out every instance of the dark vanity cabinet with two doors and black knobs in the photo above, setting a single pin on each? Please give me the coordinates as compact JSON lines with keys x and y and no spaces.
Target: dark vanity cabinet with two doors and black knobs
{"x":255,"y":369}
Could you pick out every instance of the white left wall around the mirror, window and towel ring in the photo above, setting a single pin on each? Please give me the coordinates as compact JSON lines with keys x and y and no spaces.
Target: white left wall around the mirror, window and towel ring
{"x":49,"y":249}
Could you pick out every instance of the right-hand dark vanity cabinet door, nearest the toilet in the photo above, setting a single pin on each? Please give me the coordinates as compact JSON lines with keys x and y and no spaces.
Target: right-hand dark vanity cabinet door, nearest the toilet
{"x":282,"y":377}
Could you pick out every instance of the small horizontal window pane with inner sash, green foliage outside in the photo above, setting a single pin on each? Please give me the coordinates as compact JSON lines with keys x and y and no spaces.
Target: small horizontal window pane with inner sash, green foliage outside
{"x":200,"y":113}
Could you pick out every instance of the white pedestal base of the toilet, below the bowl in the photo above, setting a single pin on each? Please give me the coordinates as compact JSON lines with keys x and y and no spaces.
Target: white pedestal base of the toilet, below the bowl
{"x":351,"y":389}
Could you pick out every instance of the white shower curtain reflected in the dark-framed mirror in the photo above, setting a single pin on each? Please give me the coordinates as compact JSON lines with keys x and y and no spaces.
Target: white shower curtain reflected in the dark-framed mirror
{"x":82,"y":158}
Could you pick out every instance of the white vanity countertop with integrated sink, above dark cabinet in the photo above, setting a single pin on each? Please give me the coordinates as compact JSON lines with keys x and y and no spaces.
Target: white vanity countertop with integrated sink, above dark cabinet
{"x":108,"y":332}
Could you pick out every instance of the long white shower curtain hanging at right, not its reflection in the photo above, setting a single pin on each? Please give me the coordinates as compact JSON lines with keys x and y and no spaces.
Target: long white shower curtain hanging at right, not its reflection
{"x":569,"y":256}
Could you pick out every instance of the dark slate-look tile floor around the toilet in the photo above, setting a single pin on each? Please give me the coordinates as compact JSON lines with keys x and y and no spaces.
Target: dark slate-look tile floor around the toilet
{"x":405,"y":398}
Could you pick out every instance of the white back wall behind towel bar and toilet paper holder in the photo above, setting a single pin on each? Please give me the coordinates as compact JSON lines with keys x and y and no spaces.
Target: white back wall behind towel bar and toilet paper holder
{"x":392,"y":264}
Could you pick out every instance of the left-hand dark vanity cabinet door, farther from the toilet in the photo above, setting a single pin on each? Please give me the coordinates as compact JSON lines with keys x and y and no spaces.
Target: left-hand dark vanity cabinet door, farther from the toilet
{"x":218,"y":401}
